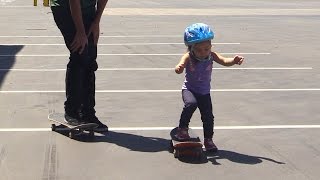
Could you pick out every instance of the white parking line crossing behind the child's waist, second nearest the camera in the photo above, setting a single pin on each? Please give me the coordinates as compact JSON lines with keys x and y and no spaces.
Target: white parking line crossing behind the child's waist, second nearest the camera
{"x":164,"y":90}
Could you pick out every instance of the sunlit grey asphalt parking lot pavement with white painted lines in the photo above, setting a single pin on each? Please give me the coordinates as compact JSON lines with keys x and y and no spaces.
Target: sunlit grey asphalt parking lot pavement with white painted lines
{"x":266,"y":110}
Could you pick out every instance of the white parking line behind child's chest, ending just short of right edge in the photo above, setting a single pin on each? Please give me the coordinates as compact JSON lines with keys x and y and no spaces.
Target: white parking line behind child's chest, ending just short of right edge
{"x":162,"y":69}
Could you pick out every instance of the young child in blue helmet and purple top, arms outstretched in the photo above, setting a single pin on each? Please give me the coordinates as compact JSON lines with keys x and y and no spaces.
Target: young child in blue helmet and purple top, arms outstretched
{"x":198,"y":63}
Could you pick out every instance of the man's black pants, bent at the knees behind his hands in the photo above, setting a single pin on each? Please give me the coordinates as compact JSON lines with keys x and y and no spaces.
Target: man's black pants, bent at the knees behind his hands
{"x":80,"y":73}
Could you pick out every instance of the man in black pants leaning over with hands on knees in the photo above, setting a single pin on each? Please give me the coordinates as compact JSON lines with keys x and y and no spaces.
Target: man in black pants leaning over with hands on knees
{"x":78,"y":21}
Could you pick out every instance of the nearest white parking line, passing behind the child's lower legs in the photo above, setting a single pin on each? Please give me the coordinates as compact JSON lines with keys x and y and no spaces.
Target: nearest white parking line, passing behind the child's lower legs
{"x":169,"y":128}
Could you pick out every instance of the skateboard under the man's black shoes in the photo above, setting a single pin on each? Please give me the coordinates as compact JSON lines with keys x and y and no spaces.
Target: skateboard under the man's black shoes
{"x":58,"y":118}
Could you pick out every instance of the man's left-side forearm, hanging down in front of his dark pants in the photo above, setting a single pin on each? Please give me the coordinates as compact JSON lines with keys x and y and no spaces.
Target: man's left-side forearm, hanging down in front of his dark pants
{"x":75,"y":8}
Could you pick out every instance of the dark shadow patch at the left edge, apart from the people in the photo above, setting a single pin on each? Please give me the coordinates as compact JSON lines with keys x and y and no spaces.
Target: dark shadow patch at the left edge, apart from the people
{"x":7,"y":59}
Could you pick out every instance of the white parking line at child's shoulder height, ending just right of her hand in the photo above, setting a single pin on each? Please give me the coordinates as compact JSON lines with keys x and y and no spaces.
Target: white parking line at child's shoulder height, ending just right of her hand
{"x":67,"y":55}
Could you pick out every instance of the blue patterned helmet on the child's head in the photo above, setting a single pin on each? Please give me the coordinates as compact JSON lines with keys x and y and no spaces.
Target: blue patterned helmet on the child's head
{"x":196,"y":33}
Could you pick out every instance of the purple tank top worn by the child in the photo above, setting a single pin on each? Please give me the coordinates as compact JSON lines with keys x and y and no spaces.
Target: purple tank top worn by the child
{"x":198,"y":76}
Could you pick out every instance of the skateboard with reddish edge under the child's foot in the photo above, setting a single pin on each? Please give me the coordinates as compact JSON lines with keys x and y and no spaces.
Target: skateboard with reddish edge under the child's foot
{"x":188,"y":147}
